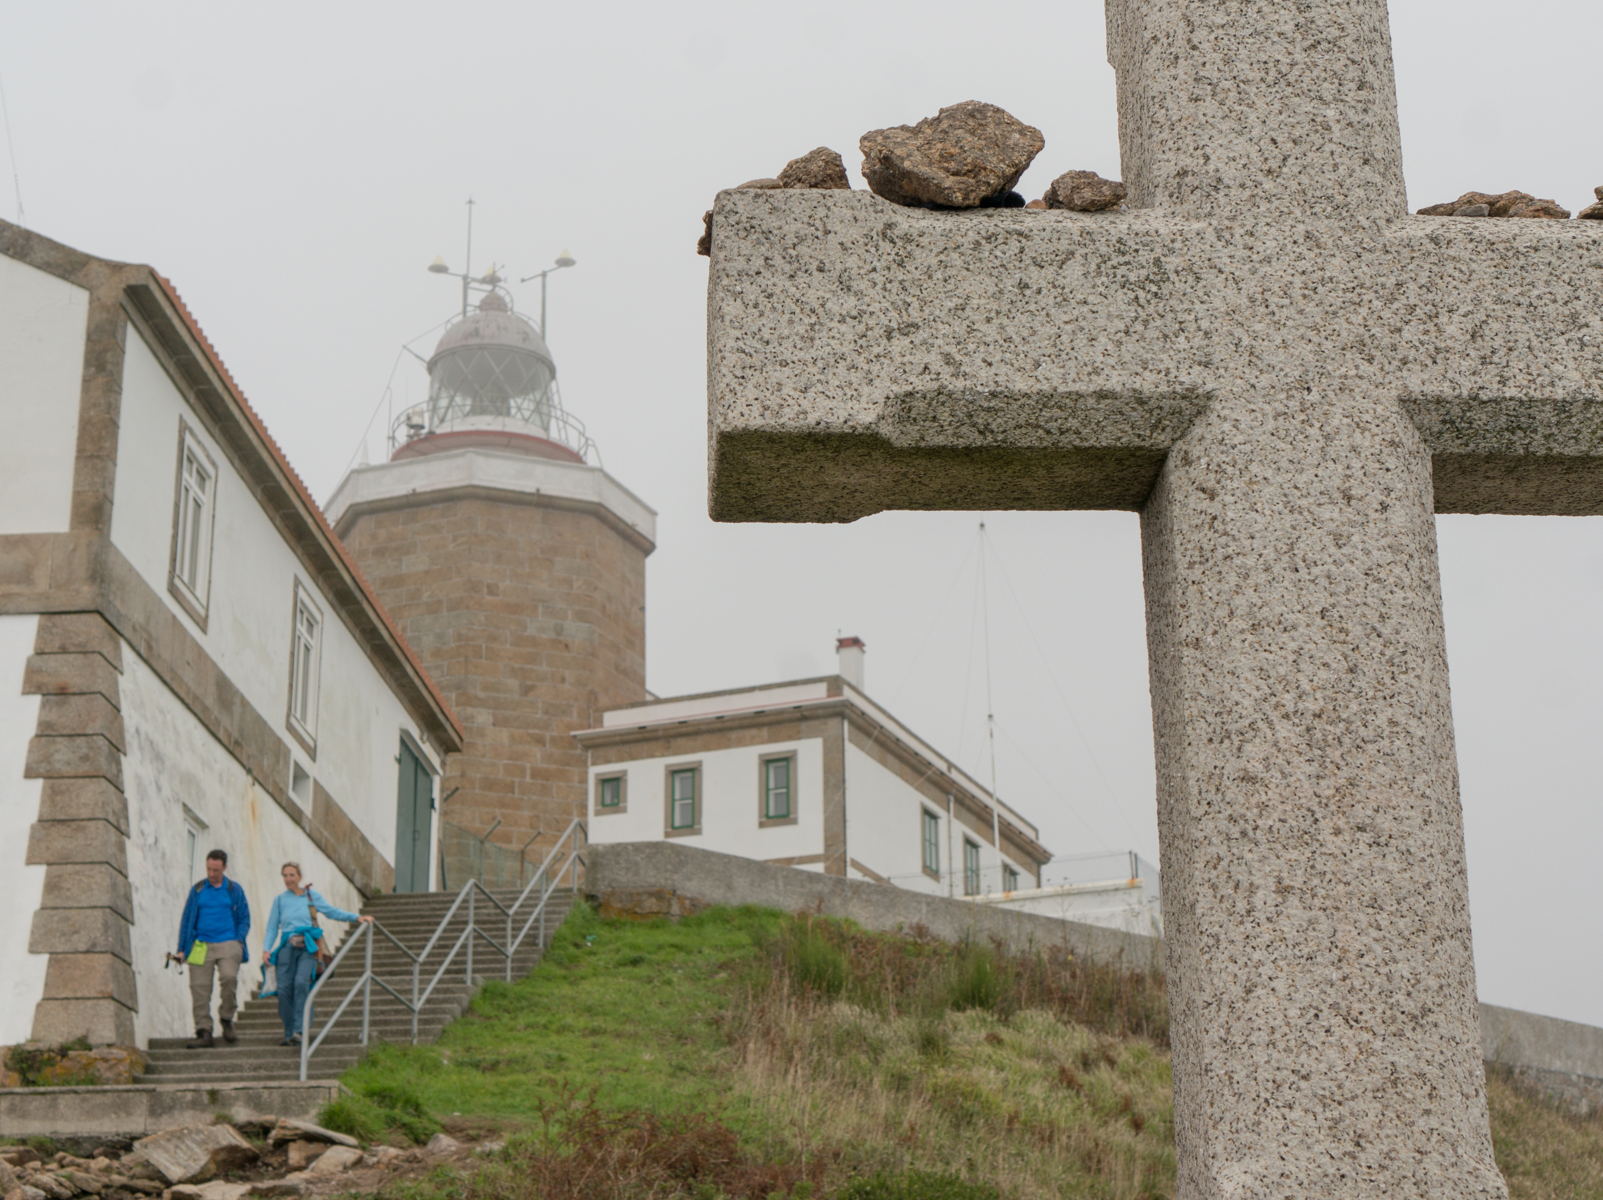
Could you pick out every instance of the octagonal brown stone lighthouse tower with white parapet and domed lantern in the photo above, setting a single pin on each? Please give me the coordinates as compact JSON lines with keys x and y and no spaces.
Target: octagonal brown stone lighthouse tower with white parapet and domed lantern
{"x":515,"y":566}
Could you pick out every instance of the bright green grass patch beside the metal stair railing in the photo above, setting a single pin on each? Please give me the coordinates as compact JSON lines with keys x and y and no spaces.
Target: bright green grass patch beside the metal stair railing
{"x":632,"y":1007}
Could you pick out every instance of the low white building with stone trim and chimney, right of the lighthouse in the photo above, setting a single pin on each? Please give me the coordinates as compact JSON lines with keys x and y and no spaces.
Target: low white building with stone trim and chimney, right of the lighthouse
{"x":809,"y":775}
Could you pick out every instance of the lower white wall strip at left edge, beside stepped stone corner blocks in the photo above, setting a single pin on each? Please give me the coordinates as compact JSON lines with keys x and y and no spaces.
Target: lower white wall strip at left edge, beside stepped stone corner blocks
{"x":22,"y":887}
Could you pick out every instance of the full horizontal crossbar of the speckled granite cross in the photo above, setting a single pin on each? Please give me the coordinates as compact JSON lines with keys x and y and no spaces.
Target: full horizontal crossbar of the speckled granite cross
{"x":865,"y":356}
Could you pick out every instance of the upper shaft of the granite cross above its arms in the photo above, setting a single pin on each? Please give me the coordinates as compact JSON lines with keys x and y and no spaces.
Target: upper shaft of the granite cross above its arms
{"x":1238,"y":105}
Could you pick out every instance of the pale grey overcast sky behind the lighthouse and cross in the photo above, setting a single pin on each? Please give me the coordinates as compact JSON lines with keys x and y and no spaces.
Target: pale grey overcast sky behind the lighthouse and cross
{"x":294,"y":167}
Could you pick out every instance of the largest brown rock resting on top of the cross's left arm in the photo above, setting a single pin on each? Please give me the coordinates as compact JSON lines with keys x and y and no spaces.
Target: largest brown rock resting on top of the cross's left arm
{"x":958,"y":159}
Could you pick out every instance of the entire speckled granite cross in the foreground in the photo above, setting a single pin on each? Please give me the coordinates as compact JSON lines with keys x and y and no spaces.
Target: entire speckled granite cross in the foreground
{"x":1286,"y":377}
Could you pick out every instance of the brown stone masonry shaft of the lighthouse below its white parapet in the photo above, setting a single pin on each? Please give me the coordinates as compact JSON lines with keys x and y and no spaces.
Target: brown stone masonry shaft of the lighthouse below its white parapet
{"x":531,"y":619}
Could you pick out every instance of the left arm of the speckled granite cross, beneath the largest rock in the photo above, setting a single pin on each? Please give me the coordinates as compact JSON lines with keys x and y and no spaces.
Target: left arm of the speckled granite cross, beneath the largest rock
{"x":865,"y":356}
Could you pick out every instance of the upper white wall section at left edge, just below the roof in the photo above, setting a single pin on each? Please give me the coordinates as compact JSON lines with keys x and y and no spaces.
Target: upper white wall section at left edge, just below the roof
{"x":42,"y":328}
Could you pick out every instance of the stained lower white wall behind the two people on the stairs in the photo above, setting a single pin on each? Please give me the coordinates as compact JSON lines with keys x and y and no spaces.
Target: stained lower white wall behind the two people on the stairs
{"x":172,"y":760}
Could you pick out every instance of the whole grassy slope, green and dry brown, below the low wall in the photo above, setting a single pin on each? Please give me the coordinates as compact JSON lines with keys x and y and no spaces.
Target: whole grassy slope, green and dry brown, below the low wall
{"x":743,"y":1055}
